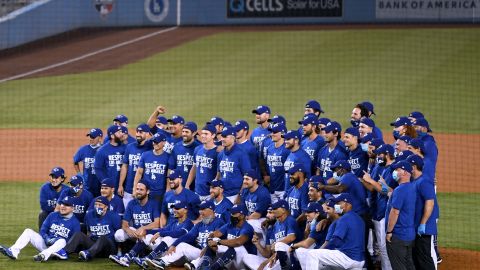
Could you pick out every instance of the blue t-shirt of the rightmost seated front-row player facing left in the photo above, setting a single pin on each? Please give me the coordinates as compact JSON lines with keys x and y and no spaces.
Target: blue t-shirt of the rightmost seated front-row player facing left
{"x":350,"y":228}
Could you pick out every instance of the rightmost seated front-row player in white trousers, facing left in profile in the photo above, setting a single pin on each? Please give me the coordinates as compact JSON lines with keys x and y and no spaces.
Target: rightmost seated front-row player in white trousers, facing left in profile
{"x":346,"y":248}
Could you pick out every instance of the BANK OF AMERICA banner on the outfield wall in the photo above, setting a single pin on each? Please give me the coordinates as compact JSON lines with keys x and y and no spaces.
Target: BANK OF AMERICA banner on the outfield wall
{"x":429,"y":9}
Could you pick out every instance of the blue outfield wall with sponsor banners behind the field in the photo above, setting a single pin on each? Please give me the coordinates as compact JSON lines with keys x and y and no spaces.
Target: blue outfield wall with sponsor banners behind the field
{"x":50,"y":17}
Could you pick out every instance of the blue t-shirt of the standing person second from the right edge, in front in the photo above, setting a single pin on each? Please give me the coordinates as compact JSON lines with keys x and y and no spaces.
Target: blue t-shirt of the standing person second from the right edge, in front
{"x":403,"y":198}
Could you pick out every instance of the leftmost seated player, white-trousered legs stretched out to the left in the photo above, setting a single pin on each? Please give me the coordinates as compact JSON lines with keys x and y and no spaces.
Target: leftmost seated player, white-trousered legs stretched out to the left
{"x":57,"y":229}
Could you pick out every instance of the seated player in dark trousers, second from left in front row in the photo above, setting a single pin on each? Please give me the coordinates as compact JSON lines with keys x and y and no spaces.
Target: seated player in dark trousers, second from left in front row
{"x":101,"y":226}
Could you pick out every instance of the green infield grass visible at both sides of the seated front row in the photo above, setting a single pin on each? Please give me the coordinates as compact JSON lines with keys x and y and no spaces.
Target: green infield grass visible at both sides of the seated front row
{"x":20,"y":207}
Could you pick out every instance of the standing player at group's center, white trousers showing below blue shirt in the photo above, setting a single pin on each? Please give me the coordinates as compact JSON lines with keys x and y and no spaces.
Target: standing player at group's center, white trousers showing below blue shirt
{"x":231,"y":164}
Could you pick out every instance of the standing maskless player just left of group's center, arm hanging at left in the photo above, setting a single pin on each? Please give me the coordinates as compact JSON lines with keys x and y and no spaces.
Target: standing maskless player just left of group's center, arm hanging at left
{"x":204,"y":168}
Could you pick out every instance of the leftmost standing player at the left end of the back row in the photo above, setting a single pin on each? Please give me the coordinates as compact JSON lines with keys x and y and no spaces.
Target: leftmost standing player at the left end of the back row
{"x":86,"y":156}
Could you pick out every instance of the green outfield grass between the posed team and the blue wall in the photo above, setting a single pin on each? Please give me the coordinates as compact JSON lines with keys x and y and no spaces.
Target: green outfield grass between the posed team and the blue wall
{"x":433,"y":70}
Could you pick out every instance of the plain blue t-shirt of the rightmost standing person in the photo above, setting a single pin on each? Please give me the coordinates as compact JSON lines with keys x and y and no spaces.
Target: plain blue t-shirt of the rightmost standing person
{"x":426,"y":191}
